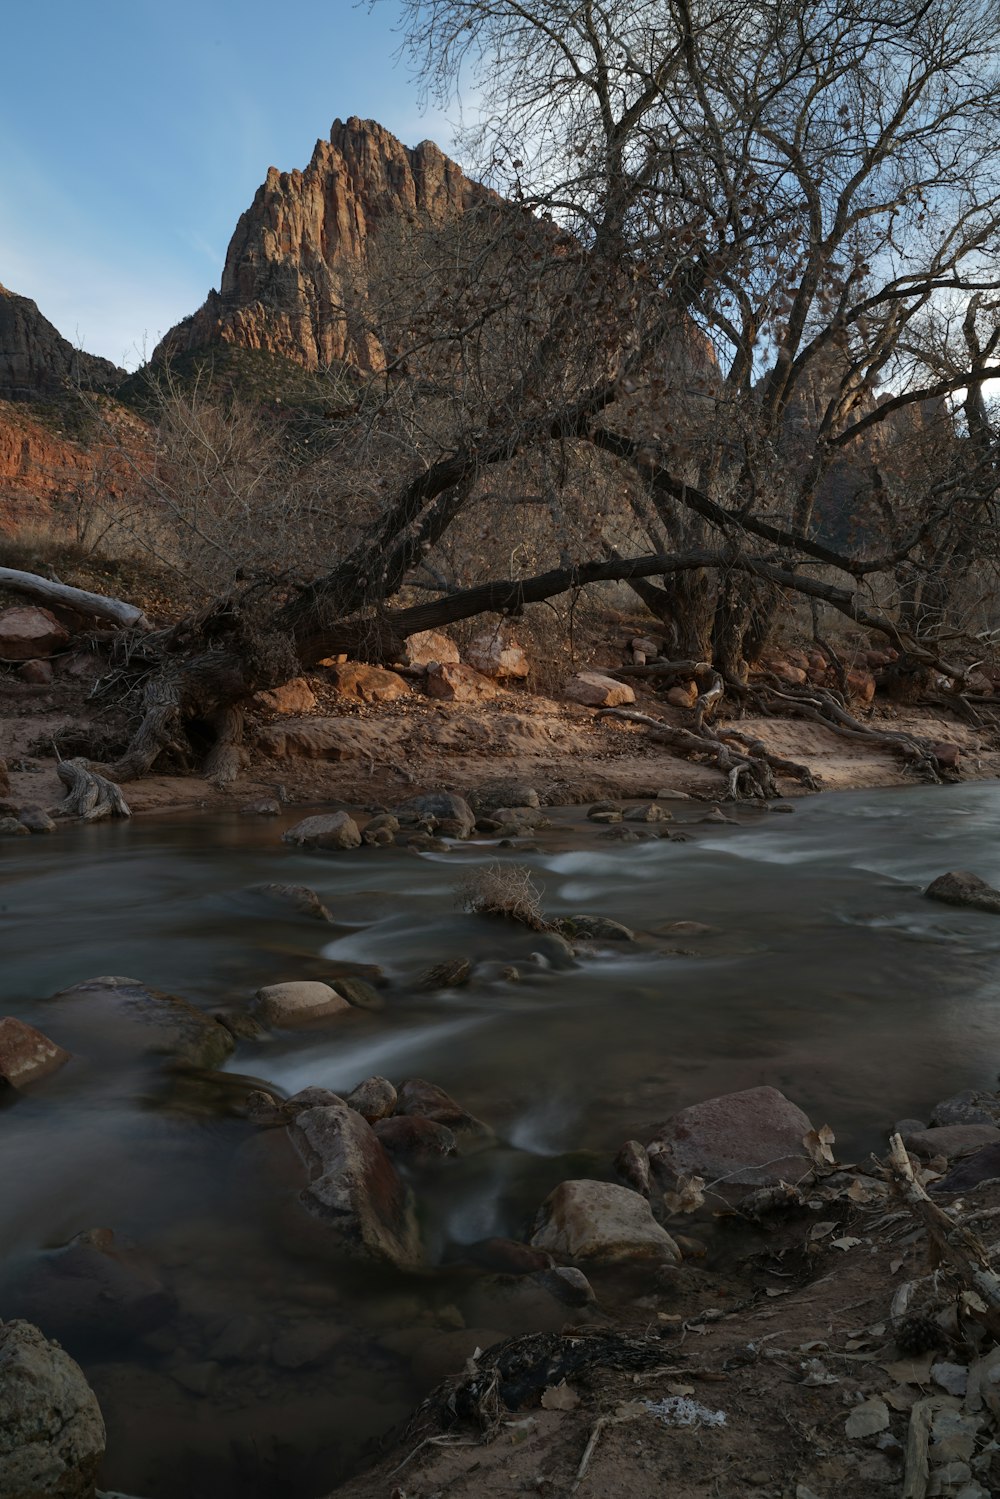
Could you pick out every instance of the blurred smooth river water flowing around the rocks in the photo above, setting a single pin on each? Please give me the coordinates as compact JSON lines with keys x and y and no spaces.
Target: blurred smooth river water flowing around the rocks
{"x":825,"y":974}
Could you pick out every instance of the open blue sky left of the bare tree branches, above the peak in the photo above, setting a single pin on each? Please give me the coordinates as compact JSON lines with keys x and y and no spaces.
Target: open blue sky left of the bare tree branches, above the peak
{"x":134,"y":134}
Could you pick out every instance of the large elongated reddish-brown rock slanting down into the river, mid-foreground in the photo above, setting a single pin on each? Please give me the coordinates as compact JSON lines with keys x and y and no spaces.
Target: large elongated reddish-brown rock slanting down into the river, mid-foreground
{"x":355,"y":1192}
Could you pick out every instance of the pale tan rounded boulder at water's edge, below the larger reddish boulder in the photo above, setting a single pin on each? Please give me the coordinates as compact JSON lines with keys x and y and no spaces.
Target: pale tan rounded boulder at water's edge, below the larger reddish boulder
{"x":602,"y":1222}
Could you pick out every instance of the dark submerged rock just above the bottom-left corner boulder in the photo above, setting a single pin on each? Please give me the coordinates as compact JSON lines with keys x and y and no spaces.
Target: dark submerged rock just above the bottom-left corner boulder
{"x":92,"y":1291}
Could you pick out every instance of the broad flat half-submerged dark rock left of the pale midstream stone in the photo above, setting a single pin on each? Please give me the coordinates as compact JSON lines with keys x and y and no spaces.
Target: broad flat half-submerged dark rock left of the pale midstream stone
{"x":116,"y":1017}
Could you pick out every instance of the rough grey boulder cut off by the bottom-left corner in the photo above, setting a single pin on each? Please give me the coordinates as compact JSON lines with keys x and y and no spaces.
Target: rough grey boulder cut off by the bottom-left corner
{"x":52,"y":1432}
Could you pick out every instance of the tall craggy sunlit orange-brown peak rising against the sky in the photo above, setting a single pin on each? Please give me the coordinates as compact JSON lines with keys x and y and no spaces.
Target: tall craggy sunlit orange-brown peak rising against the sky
{"x":296,"y":263}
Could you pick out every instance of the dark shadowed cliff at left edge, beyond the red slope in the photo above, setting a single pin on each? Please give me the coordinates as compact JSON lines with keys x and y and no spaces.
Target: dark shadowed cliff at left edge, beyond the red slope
{"x":37,"y":362}
